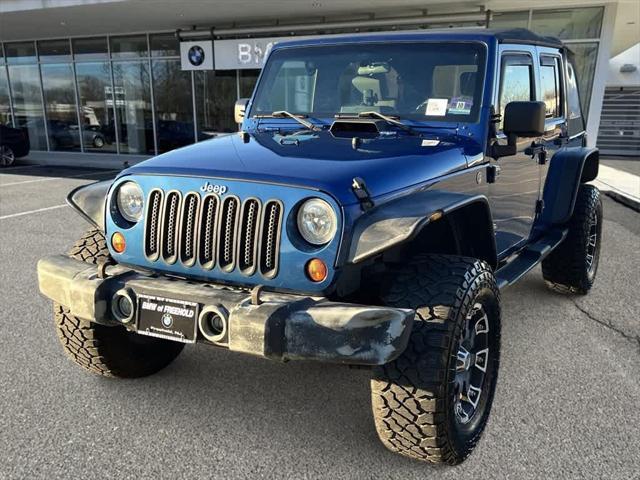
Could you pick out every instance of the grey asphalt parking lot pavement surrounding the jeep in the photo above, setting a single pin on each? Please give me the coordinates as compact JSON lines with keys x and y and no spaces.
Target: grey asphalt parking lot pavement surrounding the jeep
{"x":567,"y":402}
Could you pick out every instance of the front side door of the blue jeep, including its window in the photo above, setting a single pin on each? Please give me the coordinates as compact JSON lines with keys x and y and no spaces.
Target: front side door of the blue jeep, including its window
{"x":516,"y":190}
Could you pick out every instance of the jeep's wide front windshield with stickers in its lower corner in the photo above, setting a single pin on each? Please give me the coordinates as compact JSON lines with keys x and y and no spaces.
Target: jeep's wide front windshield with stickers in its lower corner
{"x":427,"y":81}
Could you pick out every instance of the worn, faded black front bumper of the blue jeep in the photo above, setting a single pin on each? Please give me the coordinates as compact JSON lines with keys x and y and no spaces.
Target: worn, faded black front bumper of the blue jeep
{"x":271,"y":325}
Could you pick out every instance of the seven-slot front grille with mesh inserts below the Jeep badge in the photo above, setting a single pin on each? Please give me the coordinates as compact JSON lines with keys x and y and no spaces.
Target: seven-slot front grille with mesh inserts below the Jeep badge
{"x":227,"y":233}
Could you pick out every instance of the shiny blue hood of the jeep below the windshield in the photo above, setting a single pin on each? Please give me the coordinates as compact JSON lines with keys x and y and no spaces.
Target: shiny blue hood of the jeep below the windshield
{"x":389,"y":162}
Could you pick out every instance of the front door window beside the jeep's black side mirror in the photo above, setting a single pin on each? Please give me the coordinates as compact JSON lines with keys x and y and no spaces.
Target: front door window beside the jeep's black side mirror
{"x":516,"y":81}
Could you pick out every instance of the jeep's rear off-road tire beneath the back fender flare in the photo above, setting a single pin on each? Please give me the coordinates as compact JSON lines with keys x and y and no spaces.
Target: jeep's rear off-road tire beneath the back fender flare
{"x":568,"y":269}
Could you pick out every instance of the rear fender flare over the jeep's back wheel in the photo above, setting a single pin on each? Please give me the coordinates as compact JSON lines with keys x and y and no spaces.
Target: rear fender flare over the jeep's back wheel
{"x":567,"y":170}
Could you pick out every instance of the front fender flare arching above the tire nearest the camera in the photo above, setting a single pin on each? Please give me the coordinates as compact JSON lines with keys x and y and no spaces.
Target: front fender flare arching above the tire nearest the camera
{"x":400,"y":220}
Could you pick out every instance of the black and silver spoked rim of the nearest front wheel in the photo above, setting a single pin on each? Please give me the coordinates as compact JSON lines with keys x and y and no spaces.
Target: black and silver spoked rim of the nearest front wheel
{"x":472,"y":360}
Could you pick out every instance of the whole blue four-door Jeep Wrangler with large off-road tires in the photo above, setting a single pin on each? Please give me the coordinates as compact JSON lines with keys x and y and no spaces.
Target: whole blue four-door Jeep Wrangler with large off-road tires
{"x":382,"y":191}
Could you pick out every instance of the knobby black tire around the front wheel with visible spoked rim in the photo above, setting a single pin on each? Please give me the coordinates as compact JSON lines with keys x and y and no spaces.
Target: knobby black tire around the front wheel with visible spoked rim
{"x":413,"y":397}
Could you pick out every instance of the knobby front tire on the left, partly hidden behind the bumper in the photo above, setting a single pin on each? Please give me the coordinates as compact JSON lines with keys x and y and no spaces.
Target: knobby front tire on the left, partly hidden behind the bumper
{"x":105,"y":350}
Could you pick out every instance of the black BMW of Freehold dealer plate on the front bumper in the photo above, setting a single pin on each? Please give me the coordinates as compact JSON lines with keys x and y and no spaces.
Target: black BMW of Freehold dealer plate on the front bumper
{"x":167,"y":318}
